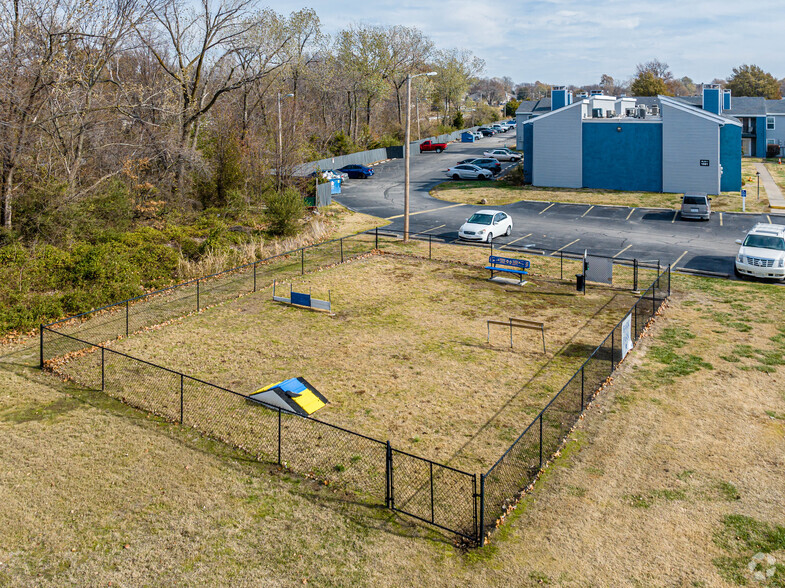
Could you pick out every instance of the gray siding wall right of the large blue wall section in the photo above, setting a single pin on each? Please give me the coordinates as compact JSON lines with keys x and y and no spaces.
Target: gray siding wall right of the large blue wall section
{"x":686,"y":140}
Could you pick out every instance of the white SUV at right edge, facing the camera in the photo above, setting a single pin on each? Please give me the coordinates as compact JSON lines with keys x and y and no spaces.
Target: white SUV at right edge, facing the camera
{"x":762,"y":253}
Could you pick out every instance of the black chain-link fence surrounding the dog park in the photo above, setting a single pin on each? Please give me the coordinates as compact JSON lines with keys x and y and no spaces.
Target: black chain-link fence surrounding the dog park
{"x":443,"y":496}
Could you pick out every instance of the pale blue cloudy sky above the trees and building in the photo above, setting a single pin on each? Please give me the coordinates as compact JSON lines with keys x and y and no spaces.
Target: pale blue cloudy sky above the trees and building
{"x":576,"y":41}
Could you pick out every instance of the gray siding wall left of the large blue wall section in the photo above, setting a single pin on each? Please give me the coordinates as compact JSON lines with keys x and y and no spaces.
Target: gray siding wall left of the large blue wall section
{"x":558,"y":149}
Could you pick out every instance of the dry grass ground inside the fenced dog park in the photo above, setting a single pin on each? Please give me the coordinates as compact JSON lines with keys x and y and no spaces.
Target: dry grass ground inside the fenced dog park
{"x":405,"y":356}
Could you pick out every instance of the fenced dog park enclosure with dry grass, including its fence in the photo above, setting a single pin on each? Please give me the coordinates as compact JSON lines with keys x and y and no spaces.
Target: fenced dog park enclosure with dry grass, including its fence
{"x":431,"y":386}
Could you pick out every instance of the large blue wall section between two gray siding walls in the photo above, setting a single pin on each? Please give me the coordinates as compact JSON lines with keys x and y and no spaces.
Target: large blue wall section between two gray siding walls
{"x":630,"y":159}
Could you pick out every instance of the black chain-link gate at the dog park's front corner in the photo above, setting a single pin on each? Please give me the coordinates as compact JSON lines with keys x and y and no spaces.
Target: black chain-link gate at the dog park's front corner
{"x":437,"y":494}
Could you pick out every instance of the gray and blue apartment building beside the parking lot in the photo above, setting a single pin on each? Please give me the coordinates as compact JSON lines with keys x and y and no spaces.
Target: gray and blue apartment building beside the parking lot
{"x":658,"y":144}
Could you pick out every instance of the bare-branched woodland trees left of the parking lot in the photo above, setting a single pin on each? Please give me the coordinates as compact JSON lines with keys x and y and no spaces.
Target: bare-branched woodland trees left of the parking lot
{"x":181,"y":105}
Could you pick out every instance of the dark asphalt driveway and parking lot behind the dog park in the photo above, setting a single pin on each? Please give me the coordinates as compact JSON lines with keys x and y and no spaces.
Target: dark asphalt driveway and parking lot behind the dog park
{"x":645,"y":234}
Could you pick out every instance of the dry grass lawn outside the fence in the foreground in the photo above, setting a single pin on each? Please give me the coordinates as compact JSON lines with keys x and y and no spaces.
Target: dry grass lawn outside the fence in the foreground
{"x":675,"y":477}
